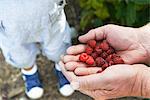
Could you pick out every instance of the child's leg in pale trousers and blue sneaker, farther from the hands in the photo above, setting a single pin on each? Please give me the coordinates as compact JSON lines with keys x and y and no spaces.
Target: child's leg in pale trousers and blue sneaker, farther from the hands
{"x":23,"y":56}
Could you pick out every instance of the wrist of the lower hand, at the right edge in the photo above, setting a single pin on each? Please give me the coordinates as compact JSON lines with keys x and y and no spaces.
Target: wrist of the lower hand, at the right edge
{"x":142,"y":85}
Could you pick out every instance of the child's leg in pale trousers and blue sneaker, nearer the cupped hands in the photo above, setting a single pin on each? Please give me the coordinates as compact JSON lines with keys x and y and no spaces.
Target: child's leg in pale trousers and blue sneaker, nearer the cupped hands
{"x":56,"y":46}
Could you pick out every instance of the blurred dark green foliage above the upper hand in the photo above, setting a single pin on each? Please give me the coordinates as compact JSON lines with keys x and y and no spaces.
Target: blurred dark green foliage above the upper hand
{"x":94,"y":13}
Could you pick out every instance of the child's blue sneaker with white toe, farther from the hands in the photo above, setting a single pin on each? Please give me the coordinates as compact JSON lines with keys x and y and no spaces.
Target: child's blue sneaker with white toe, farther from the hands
{"x":33,"y":85}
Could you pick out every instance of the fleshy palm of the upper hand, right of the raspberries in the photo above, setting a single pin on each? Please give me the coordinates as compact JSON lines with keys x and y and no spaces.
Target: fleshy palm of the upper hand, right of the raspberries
{"x":126,"y":42}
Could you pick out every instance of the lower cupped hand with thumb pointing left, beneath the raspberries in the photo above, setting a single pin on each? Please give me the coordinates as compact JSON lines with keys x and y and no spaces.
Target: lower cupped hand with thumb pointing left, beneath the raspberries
{"x":116,"y":81}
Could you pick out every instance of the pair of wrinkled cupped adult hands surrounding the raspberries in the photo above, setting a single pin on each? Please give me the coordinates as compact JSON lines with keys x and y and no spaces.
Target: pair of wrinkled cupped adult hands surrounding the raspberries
{"x":117,"y":80}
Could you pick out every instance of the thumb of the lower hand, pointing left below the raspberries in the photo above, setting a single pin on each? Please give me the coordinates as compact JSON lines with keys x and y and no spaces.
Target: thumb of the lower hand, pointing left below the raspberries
{"x":90,"y":82}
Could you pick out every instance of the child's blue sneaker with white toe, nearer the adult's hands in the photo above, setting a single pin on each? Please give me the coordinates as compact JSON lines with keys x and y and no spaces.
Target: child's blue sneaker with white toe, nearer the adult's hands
{"x":64,"y":85}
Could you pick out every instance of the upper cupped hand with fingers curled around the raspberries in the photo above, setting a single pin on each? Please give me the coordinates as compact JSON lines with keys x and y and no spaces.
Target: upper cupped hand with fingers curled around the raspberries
{"x":127,"y":41}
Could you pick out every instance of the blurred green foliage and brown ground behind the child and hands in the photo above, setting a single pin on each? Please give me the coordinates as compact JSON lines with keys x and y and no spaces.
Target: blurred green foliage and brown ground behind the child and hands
{"x":83,"y":15}
